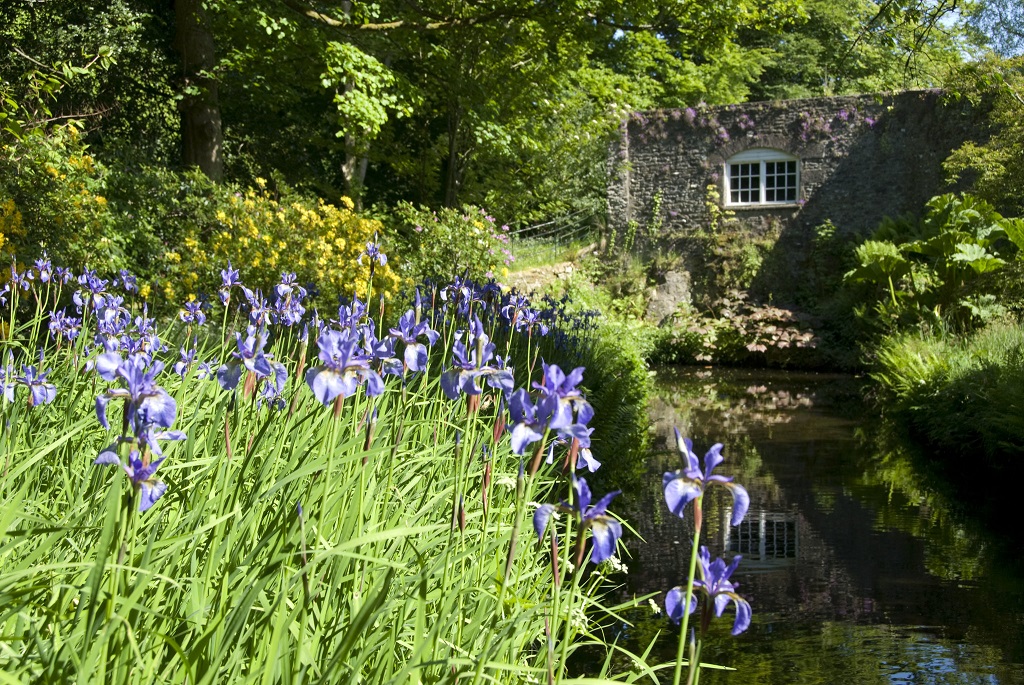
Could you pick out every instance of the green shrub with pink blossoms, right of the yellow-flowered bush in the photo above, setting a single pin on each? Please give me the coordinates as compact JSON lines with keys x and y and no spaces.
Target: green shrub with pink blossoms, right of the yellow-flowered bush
{"x":466,"y":241}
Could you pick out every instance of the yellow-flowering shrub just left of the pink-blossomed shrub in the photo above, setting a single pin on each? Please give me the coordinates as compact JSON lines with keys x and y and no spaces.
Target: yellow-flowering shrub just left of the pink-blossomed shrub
{"x":263,"y":238}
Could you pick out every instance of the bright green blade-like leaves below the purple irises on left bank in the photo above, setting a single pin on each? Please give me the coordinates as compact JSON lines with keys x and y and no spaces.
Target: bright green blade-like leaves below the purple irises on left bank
{"x":313,"y":544}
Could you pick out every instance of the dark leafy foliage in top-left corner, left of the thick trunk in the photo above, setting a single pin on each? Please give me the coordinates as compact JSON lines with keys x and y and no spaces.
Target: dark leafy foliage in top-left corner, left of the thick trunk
{"x":127,"y":100}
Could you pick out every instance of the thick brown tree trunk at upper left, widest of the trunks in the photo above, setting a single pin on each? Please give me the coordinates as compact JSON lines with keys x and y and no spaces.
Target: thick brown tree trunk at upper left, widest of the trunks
{"x":202,"y":138}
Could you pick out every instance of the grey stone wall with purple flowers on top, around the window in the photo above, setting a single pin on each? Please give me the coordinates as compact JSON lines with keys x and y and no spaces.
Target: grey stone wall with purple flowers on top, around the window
{"x":863,"y":158}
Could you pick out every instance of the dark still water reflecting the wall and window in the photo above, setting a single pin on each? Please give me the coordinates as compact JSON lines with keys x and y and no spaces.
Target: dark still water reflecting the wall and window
{"x":858,"y":572}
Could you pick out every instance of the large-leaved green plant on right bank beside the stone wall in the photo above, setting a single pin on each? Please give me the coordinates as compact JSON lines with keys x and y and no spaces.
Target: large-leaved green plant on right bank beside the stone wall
{"x":936,"y":269}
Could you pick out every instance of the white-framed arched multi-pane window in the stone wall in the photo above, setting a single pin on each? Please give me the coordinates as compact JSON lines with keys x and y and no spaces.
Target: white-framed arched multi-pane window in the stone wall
{"x":762,"y":177}
